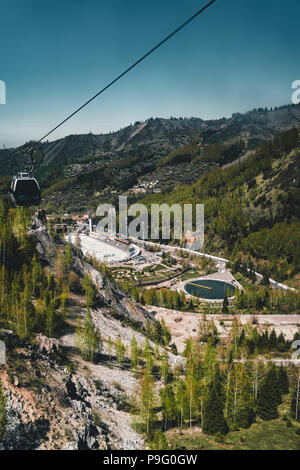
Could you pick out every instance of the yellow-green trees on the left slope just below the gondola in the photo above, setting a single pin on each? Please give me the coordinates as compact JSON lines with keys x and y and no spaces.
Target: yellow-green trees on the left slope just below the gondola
{"x":32,"y":299}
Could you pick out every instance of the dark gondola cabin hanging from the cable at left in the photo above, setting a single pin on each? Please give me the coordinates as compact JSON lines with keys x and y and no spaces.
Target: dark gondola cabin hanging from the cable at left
{"x":25,"y":190}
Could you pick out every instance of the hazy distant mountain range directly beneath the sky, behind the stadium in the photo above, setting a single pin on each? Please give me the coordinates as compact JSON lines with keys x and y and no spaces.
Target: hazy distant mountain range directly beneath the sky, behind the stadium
{"x":81,"y":170}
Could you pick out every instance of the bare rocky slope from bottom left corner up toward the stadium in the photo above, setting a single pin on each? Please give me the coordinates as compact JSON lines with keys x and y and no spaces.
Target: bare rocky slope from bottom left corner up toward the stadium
{"x":57,"y":400}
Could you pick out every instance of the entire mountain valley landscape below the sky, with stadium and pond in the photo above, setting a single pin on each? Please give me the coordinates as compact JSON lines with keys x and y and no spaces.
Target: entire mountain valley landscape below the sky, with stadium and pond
{"x":106,"y":347}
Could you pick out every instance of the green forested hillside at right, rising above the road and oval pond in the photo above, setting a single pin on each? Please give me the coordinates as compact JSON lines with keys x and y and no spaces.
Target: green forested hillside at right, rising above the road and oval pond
{"x":252,"y":208}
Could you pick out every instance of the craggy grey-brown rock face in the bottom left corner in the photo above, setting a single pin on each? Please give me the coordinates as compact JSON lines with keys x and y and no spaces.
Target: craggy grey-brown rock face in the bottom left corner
{"x":49,"y":407}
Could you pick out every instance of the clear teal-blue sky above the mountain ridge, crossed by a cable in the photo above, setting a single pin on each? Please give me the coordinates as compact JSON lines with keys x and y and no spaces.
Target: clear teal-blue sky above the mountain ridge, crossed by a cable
{"x":55,"y":54}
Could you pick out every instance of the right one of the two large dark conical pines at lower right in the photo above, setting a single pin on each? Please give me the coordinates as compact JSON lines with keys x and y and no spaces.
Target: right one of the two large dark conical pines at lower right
{"x":268,"y":401}
